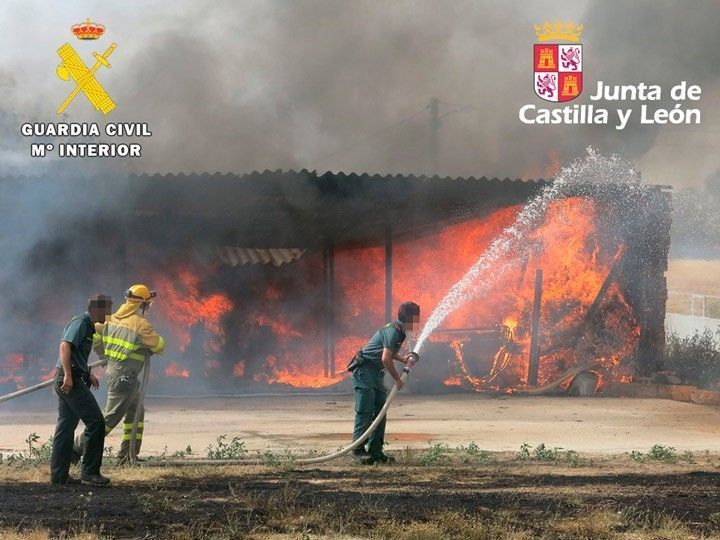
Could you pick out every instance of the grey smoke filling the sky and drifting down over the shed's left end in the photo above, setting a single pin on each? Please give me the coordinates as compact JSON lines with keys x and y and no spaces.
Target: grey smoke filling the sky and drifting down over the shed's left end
{"x":238,"y":86}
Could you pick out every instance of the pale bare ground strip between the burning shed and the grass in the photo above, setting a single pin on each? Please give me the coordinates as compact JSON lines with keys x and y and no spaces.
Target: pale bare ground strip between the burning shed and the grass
{"x":303,"y":423}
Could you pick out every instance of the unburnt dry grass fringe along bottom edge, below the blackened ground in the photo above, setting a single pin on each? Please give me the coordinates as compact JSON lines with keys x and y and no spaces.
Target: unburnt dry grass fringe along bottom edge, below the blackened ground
{"x":593,"y":525}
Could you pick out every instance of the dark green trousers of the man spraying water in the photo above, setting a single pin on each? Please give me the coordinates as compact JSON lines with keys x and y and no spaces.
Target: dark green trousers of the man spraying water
{"x":370,"y":394}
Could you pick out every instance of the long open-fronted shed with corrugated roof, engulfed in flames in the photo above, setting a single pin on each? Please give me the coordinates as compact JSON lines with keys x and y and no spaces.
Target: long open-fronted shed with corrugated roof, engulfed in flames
{"x":277,"y":278}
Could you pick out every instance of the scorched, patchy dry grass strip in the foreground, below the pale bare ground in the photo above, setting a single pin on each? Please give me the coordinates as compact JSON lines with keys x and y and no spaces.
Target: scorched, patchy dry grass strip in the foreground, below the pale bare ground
{"x":478,"y":496}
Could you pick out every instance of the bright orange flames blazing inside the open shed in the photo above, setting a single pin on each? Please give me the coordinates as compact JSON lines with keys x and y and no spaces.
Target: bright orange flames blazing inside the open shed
{"x":567,"y":246}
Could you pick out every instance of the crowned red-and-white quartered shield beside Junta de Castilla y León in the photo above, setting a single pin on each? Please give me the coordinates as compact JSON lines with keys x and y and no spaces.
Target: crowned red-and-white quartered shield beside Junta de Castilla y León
{"x":557,"y":67}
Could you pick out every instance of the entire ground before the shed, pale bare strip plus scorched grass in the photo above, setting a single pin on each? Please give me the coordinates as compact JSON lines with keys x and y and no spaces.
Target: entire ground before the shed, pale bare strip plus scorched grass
{"x":442,"y":485}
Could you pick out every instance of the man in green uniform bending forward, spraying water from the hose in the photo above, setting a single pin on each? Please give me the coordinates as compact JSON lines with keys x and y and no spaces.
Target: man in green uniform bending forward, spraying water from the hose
{"x":368,"y":370}
